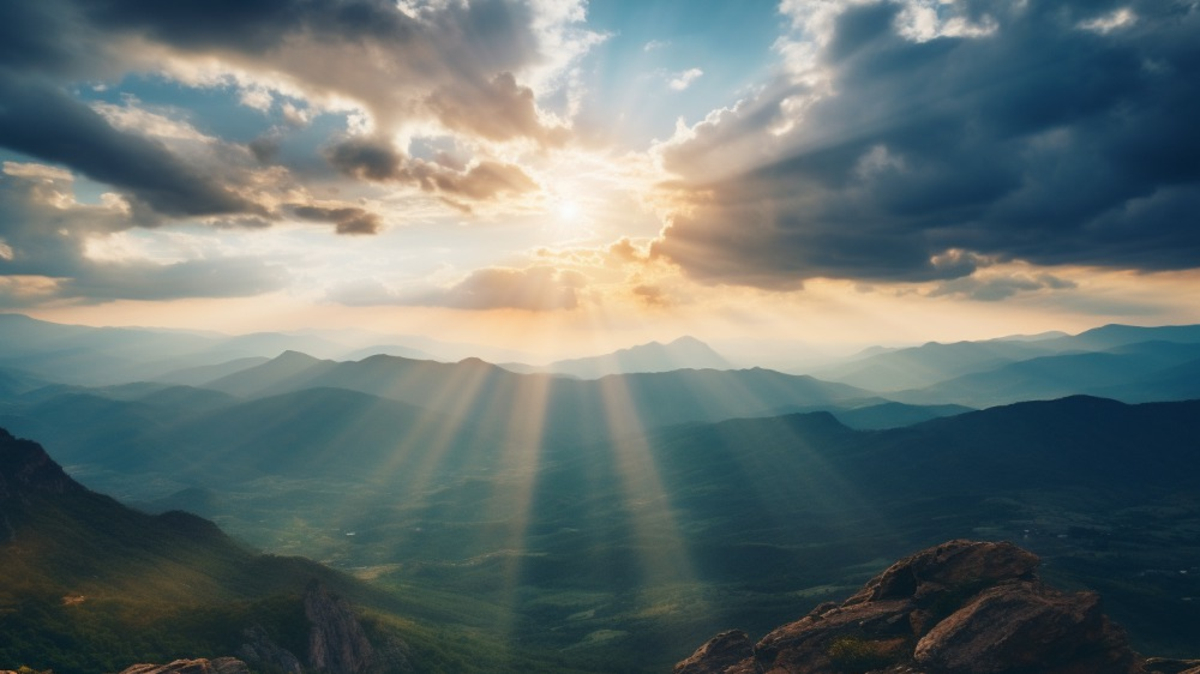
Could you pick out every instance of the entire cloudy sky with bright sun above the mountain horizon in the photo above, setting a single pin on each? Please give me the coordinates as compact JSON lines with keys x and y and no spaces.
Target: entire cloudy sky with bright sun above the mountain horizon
{"x":567,"y":177}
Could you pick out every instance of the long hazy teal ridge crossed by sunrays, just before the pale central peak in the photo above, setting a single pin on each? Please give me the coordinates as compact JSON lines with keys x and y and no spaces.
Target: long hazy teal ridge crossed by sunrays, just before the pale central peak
{"x":541,"y":406}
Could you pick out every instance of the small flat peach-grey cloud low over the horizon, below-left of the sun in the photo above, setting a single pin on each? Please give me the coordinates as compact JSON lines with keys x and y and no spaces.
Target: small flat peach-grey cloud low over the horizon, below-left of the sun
{"x":537,"y":290}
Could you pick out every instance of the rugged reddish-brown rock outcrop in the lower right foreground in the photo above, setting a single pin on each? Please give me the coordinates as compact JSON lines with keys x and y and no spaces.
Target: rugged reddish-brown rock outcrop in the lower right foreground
{"x":958,"y":609}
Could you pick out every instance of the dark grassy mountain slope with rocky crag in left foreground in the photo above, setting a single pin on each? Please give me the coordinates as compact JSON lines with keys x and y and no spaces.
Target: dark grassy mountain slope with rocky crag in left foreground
{"x":91,"y":586}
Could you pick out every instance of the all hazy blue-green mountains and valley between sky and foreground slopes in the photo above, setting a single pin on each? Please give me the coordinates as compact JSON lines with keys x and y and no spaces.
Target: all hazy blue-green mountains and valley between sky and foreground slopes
{"x":581,"y":516}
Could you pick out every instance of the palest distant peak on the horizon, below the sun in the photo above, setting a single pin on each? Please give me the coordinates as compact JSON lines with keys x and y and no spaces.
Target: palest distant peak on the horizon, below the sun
{"x":686,"y":353}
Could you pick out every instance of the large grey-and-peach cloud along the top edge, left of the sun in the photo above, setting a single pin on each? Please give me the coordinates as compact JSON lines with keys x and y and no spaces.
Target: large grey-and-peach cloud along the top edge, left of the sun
{"x":453,"y":63}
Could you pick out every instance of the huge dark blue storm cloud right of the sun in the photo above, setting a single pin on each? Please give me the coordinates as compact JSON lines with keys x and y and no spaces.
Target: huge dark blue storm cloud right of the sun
{"x":1055,"y":140}
